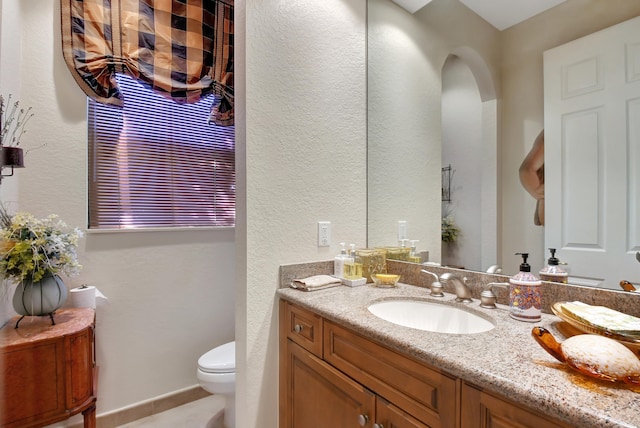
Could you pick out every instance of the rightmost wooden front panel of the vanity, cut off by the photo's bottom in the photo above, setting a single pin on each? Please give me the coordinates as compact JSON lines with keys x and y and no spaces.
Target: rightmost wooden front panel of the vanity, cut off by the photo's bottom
{"x":483,"y":410}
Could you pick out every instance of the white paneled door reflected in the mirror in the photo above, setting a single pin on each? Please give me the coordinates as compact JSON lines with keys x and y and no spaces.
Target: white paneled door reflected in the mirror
{"x":592,"y":155}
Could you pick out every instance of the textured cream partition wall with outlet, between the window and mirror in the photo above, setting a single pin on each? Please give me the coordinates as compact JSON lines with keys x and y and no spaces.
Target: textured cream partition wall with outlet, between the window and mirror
{"x":305,"y":161}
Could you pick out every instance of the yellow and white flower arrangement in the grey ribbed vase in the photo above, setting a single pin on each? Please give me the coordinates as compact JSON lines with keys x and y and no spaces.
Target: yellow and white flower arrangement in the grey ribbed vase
{"x":31,"y":248}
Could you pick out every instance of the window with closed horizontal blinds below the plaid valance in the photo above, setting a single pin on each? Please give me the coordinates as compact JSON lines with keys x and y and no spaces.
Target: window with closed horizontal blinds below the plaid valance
{"x":155,"y":163}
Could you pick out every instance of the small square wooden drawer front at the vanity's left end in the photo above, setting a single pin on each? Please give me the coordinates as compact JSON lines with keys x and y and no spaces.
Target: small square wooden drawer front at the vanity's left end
{"x":303,"y":327}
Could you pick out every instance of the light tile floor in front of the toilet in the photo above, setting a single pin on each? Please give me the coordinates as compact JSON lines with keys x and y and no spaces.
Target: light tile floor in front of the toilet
{"x":203,"y":413}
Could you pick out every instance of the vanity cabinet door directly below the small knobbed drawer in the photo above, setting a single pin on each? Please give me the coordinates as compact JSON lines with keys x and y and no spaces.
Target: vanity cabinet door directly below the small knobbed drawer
{"x":318,"y":396}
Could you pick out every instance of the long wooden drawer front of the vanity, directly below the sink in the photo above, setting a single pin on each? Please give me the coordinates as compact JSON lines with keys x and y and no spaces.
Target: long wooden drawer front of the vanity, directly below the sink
{"x":422,"y":391}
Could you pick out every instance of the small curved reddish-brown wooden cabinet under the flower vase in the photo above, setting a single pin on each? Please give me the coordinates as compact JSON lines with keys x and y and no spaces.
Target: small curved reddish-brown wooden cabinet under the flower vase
{"x":48,"y":371}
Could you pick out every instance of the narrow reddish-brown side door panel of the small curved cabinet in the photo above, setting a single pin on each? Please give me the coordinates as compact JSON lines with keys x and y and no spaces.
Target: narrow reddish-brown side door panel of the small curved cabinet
{"x":80,"y":366}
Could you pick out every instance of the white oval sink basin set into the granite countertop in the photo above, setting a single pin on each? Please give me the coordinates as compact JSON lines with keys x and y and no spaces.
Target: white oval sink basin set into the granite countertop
{"x":430,"y":316}
